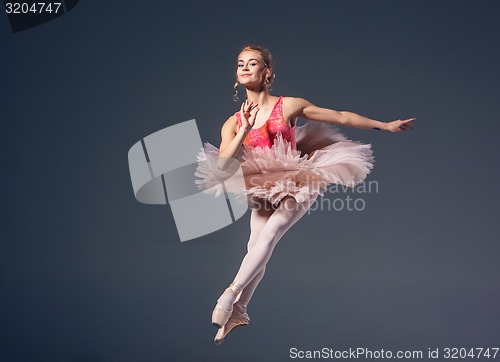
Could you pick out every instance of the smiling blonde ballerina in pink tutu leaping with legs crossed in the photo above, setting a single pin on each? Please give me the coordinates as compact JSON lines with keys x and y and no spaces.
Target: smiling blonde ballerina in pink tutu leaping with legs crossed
{"x":298,"y":162}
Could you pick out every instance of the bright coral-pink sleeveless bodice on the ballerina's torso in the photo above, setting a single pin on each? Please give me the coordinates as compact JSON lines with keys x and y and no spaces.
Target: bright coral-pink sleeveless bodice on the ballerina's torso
{"x":264,"y":136}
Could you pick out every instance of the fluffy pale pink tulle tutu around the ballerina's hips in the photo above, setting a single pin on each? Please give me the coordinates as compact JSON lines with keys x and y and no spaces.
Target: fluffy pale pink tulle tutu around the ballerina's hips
{"x":323,"y":156}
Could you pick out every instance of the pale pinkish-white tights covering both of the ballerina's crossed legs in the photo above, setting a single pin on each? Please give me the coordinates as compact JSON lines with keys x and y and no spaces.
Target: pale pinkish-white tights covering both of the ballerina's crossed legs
{"x":267,"y":226}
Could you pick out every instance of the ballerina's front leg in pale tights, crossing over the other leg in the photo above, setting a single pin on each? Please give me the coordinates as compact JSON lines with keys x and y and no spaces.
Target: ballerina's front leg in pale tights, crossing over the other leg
{"x":287,"y":213}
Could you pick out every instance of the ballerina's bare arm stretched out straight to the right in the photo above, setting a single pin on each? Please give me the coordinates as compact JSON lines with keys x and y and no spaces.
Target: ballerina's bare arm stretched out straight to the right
{"x":303,"y":108}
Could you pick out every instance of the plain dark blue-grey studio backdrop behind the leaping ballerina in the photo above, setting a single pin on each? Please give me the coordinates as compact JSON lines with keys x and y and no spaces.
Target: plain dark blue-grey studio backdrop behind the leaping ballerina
{"x":89,"y":274}
